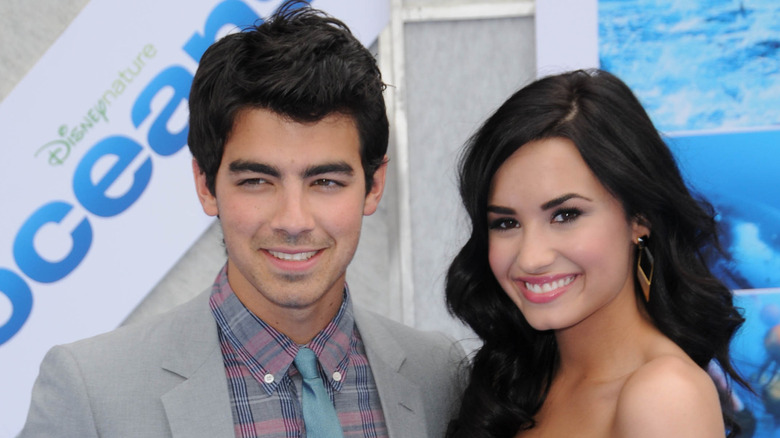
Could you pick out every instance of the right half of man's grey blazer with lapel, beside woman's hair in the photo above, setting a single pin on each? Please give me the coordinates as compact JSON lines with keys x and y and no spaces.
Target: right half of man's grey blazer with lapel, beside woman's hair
{"x":419,"y":375}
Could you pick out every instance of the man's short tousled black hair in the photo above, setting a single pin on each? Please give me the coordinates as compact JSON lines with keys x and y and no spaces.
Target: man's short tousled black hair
{"x":301,"y":64}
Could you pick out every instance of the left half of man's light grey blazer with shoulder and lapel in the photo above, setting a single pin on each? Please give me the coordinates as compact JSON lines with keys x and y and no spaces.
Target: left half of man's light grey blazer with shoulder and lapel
{"x":162,"y":377}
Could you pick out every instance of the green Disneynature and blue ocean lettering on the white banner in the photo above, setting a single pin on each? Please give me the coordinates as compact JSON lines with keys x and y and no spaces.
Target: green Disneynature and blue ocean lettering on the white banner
{"x":121,"y":150}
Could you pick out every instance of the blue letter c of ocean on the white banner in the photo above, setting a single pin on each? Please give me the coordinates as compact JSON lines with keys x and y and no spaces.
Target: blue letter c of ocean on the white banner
{"x":28,"y":259}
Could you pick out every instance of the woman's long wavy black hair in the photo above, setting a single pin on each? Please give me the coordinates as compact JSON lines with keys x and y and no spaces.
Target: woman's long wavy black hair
{"x":512,"y":371}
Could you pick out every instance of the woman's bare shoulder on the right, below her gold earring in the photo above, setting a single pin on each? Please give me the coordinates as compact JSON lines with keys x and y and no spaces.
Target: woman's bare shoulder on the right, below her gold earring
{"x":669,"y":396}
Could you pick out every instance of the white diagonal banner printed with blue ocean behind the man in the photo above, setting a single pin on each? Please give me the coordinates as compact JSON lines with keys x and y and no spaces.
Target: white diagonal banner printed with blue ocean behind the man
{"x":96,"y":191}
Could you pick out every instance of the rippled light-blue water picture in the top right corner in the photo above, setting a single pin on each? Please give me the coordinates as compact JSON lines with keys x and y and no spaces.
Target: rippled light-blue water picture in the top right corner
{"x":696,"y":64}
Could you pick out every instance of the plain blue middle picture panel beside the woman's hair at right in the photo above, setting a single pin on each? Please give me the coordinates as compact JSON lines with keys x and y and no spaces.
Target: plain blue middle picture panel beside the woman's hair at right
{"x":738,"y":174}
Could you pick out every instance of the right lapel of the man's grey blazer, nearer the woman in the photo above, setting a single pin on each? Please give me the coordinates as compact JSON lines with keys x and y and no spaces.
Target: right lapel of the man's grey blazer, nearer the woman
{"x":401,"y":400}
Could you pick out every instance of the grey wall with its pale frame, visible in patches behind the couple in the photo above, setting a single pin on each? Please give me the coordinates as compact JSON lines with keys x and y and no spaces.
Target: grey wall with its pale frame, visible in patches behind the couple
{"x":449,"y":63}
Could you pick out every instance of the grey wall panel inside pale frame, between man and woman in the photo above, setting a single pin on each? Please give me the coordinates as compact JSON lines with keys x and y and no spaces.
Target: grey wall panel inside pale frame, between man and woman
{"x":457,"y":73}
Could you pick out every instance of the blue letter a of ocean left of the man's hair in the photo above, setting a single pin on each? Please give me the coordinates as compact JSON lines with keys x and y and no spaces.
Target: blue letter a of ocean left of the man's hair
{"x":160,"y":140}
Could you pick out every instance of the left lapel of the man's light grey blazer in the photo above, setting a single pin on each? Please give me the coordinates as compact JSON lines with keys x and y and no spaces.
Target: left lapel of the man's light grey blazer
{"x":199,"y":406}
